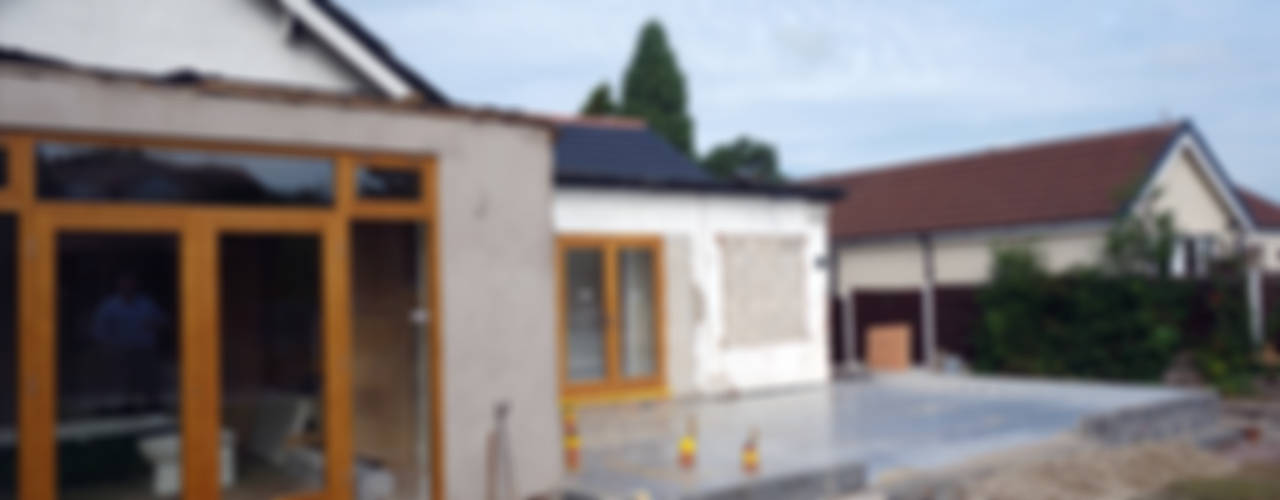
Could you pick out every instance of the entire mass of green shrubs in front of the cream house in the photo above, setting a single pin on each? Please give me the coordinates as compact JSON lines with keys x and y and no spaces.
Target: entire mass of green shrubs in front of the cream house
{"x":1121,"y":320}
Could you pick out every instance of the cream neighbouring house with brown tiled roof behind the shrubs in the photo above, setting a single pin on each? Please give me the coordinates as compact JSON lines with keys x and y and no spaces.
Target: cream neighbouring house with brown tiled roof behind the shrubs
{"x":913,"y":244}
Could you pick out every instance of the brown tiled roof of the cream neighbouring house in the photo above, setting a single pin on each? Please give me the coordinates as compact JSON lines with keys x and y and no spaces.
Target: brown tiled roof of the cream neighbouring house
{"x":1062,"y":181}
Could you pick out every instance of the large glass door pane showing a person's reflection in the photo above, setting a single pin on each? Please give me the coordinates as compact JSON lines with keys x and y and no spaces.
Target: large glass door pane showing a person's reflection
{"x":118,"y":366}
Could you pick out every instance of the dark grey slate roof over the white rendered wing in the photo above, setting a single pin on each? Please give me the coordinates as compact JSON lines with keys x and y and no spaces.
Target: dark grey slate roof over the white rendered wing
{"x":638,"y":158}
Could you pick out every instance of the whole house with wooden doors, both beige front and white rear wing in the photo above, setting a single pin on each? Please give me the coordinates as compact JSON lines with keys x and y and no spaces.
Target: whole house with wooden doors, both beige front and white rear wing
{"x":254,"y":256}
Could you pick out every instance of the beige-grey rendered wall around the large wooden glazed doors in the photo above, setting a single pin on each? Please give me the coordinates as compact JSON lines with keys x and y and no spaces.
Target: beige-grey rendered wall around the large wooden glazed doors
{"x":495,"y":233}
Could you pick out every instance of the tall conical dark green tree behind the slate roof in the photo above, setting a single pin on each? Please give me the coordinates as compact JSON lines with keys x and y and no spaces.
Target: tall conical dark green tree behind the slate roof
{"x":653,"y":89}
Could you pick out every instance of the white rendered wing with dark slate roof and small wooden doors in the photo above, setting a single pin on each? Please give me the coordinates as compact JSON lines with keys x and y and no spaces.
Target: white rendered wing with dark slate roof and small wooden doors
{"x":675,"y":283}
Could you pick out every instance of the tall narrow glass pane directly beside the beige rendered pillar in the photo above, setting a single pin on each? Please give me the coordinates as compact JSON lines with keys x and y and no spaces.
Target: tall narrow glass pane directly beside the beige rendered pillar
{"x":390,"y":357}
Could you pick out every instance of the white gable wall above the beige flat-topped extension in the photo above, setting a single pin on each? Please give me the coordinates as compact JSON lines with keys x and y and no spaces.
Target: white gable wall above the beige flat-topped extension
{"x":243,"y":39}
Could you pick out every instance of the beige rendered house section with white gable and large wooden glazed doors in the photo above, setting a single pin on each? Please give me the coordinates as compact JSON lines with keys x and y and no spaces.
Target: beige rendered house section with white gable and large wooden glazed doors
{"x":249,"y":254}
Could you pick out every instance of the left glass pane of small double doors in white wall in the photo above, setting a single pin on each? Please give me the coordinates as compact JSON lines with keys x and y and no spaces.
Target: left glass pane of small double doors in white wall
{"x":586,"y":300}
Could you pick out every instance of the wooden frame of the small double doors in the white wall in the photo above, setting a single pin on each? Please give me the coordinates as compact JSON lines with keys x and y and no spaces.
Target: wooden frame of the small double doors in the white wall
{"x":614,"y":386}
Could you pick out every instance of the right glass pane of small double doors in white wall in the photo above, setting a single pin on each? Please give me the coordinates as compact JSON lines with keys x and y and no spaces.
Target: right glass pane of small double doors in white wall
{"x":637,"y":297}
